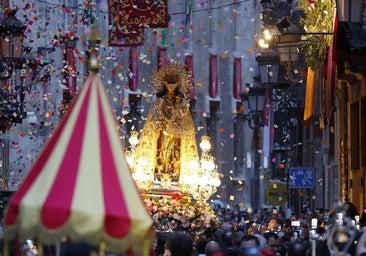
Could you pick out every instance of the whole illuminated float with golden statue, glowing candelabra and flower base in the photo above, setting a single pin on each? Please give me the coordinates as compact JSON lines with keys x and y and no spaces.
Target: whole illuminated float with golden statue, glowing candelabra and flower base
{"x":176,"y":180}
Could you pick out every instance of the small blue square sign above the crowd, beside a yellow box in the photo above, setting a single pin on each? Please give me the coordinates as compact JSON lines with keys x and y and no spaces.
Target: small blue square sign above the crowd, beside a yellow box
{"x":302,"y":177}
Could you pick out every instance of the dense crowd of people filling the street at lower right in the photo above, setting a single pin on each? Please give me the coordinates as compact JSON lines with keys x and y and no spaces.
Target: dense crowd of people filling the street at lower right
{"x":271,"y":234}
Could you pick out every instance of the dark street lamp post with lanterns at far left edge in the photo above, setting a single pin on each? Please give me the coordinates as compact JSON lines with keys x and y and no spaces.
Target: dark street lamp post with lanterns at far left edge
{"x":11,"y":94}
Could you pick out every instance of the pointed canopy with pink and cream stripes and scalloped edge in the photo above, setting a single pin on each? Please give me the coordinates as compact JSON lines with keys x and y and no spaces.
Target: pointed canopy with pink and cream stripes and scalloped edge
{"x":81,"y":187}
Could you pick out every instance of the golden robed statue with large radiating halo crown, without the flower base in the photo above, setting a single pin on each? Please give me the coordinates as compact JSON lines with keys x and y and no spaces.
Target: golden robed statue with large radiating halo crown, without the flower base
{"x":167,"y":149}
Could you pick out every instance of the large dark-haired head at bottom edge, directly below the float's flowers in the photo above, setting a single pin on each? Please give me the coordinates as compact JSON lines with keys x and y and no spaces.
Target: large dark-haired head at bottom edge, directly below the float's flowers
{"x":179,"y":244}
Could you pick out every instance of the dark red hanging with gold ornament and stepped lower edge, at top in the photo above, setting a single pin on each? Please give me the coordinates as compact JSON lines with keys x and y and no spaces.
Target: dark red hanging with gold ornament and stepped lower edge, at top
{"x":128,"y":18}
